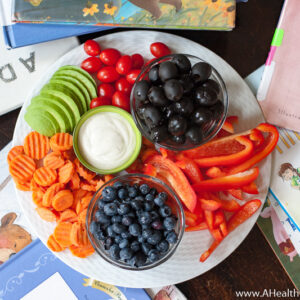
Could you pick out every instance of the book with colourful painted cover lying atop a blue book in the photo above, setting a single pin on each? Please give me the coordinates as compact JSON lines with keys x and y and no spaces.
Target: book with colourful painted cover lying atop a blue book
{"x":192,"y":14}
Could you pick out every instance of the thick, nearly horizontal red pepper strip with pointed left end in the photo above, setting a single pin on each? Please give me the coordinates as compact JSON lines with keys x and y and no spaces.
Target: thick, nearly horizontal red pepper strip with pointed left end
{"x":227,"y":182}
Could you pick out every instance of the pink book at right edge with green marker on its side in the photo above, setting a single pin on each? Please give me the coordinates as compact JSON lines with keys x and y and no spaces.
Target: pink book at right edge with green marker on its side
{"x":279,"y":90}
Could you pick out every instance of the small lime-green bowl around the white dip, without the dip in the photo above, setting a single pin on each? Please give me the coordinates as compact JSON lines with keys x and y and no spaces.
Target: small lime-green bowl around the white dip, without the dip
{"x":128,"y":117}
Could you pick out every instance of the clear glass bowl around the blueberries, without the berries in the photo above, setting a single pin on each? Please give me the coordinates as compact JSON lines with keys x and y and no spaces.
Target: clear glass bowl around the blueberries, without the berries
{"x":173,"y":201}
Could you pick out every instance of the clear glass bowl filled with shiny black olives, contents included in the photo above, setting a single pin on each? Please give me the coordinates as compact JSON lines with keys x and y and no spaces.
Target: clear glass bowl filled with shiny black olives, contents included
{"x":179,"y":102}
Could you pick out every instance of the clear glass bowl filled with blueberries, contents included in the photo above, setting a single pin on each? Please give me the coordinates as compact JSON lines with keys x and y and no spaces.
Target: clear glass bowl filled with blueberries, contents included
{"x":135,"y":222}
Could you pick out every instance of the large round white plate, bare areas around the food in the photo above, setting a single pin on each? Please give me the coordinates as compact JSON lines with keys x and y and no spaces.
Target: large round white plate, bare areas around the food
{"x":184,"y":264}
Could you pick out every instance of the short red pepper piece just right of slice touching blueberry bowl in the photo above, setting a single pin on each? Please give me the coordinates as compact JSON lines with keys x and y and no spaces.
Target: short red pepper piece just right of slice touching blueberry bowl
{"x":189,"y":168}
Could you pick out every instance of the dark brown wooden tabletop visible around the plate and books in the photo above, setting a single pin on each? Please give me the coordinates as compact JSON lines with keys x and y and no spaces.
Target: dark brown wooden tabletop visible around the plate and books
{"x":253,"y":266}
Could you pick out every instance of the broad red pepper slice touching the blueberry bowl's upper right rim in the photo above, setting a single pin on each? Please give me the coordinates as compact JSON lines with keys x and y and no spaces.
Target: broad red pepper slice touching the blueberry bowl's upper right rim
{"x":168,"y":170}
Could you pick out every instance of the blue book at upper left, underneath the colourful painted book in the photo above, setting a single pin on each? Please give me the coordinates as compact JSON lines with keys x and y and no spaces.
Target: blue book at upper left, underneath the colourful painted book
{"x":24,"y":34}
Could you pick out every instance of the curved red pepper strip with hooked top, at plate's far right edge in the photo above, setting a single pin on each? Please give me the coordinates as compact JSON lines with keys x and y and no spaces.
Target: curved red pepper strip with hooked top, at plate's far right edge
{"x":272,"y":140}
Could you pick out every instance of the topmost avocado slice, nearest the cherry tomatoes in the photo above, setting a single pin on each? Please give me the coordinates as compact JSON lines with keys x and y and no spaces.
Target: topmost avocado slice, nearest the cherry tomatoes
{"x":78,"y":75}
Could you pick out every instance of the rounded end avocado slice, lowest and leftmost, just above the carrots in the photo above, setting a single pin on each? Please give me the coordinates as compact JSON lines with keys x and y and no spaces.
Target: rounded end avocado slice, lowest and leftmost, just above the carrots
{"x":41,"y":122}
